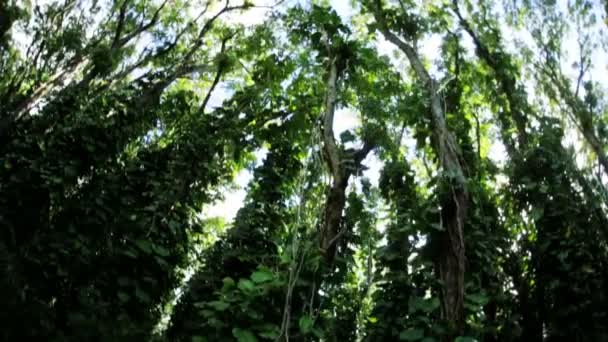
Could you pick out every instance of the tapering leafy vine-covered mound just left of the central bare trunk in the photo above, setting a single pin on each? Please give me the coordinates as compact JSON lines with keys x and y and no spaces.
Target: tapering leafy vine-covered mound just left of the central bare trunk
{"x":232,"y":290}
